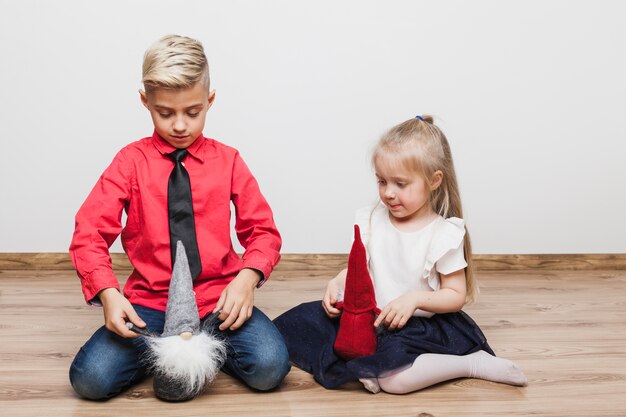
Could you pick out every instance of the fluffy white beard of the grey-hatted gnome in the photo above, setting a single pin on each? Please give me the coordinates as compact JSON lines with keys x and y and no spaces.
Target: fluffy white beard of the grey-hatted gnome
{"x":193,"y":363}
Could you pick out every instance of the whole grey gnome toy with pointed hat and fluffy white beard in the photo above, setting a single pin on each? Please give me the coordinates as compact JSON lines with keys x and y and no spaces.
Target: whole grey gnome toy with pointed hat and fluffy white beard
{"x":184,"y":358}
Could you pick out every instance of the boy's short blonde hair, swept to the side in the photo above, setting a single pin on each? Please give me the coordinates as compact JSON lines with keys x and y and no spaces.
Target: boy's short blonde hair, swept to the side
{"x":175,"y":62}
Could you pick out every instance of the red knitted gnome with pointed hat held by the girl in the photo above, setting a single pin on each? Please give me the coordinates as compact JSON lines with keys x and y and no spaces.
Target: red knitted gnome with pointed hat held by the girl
{"x":356,"y":336}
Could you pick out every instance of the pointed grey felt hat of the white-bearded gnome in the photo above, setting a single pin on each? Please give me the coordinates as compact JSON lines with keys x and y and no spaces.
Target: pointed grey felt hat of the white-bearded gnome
{"x":181,"y":313}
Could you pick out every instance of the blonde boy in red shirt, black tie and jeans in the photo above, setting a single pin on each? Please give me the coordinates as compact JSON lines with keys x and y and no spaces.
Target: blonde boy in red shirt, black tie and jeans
{"x":151,"y":180}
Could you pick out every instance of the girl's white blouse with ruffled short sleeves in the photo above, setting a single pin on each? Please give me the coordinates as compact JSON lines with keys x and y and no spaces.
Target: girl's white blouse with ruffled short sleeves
{"x":405,"y":261}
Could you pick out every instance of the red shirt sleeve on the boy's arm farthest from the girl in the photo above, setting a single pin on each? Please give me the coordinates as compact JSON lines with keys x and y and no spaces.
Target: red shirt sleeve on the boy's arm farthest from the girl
{"x":97,"y":225}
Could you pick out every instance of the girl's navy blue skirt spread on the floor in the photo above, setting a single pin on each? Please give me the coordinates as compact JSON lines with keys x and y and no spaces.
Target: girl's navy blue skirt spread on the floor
{"x":310,"y":336}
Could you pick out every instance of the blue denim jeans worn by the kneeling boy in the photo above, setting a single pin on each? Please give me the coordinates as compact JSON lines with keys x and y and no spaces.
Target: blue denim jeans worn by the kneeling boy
{"x":108,"y":364}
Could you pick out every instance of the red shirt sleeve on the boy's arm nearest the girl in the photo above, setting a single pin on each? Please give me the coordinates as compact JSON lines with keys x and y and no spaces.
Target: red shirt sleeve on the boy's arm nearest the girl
{"x":254,"y":222}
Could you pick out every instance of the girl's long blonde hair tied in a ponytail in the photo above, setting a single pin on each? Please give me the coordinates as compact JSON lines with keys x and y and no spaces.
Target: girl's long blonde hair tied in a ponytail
{"x":421,"y":147}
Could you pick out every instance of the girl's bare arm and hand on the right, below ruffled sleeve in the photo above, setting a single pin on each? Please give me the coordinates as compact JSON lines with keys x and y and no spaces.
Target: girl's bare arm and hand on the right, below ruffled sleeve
{"x":450,"y":297}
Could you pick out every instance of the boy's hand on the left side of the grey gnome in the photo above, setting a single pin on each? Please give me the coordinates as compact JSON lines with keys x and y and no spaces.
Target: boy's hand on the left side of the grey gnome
{"x":117,"y":311}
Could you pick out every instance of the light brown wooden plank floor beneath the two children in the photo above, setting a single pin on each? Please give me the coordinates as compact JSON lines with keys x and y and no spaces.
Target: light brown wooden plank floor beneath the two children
{"x":566,"y":329}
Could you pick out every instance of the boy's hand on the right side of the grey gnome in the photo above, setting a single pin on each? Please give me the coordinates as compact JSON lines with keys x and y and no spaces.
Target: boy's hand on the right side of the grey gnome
{"x":237,"y":299}
